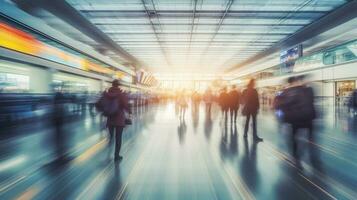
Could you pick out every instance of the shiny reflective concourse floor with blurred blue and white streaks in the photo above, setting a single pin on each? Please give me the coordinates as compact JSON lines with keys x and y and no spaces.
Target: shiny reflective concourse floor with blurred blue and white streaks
{"x":200,"y":157}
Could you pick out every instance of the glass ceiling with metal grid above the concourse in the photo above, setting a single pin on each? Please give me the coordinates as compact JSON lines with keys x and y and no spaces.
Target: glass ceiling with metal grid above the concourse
{"x":199,"y":36}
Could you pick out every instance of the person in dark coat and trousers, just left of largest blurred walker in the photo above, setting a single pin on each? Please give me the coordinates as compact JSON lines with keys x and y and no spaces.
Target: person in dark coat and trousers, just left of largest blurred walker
{"x":250,"y":108}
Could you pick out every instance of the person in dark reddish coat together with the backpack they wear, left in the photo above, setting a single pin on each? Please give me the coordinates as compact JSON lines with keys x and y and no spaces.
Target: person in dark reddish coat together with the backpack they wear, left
{"x":114,"y":104}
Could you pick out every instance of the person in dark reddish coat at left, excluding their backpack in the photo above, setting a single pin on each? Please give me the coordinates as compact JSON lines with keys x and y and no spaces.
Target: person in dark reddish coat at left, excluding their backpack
{"x":117,"y":122}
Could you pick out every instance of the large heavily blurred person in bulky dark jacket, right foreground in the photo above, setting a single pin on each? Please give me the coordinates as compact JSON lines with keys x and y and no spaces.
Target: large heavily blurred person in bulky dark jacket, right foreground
{"x":297,"y":105}
